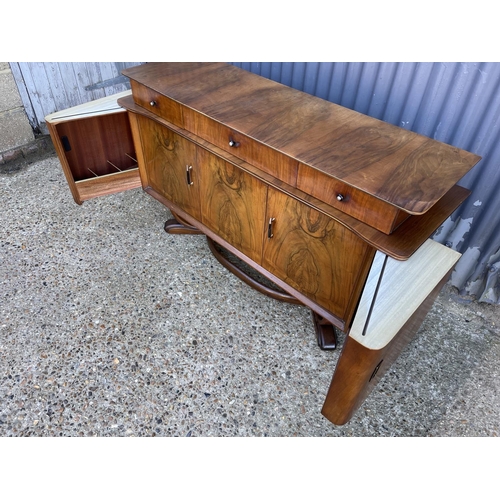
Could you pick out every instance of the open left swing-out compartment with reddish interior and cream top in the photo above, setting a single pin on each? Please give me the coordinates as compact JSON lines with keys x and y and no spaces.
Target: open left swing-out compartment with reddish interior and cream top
{"x":95,"y":147}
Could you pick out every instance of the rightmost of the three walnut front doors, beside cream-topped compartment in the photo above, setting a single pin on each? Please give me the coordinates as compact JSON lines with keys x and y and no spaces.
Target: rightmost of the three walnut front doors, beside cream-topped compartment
{"x":315,"y":254}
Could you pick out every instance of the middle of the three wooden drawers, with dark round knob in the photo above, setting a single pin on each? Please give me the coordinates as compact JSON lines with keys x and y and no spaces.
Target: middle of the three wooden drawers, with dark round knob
{"x":263,"y":157}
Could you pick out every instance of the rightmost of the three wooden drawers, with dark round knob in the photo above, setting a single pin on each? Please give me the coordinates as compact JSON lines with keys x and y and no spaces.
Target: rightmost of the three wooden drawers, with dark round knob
{"x":358,"y":204}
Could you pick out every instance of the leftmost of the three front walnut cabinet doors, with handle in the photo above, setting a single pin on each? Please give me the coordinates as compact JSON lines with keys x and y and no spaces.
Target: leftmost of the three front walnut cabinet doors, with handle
{"x":170,"y":163}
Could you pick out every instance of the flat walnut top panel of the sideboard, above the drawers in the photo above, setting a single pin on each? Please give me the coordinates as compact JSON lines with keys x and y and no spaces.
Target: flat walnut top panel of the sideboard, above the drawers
{"x":404,"y":169}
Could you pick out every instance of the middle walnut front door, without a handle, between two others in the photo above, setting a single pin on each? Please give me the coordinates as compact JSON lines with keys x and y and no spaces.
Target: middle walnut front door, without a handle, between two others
{"x":233,"y":204}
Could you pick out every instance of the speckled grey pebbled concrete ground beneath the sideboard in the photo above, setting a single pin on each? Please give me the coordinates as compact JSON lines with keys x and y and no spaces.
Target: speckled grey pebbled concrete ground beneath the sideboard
{"x":111,"y":327}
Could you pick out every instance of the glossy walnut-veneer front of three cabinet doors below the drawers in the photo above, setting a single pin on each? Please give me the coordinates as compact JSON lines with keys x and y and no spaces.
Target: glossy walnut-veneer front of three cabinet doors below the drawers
{"x":303,"y":249}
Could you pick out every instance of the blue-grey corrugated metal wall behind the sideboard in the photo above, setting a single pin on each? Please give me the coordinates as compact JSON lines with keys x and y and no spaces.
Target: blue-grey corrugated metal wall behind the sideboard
{"x":456,"y":103}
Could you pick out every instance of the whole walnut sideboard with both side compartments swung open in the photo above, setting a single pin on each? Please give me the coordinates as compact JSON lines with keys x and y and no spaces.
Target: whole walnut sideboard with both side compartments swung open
{"x":333,"y":207}
